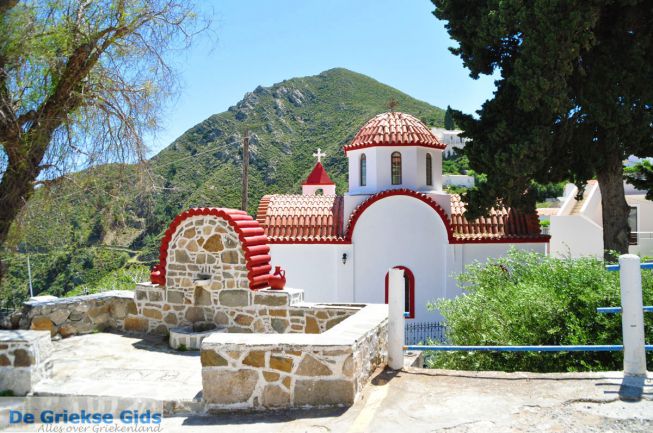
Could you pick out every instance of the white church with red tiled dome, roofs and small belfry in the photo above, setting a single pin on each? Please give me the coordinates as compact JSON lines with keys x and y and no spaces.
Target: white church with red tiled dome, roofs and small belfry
{"x":395,"y":214}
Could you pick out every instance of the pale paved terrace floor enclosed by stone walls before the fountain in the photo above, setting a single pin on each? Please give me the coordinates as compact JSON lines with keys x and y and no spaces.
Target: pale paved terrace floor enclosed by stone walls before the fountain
{"x":107,"y":364}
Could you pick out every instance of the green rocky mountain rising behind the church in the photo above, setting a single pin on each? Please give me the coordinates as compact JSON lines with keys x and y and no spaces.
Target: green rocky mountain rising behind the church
{"x":105,"y":222}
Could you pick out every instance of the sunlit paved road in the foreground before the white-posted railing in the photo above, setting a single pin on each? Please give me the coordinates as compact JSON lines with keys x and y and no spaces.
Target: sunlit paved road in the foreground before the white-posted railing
{"x":418,"y":400}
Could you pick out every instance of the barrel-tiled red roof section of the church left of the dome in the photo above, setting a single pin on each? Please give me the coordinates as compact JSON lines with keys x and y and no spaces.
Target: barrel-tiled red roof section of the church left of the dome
{"x":301,"y":218}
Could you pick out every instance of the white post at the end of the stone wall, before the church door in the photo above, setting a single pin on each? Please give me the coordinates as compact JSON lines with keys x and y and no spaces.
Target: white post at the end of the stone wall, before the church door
{"x":396,"y":296}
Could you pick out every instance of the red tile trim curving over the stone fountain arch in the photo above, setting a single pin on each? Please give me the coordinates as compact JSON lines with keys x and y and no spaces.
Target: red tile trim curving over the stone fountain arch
{"x":253,"y":241}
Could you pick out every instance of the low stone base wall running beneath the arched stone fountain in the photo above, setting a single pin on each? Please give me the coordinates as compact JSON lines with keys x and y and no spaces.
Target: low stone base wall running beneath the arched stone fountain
{"x":238,"y":310}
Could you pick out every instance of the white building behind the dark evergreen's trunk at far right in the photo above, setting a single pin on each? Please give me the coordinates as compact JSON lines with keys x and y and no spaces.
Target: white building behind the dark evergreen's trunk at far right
{"x":577,"y":227}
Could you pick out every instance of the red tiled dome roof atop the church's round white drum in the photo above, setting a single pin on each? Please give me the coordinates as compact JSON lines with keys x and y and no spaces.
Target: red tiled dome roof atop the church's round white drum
{"x":394,"y":129}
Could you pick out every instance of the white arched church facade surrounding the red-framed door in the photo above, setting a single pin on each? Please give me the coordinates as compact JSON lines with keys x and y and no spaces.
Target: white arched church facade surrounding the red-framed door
{"x":401,"y":231}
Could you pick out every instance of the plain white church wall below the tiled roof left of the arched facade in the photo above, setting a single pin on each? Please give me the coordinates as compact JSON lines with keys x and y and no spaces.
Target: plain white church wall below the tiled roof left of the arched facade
{"x":317,"y":269}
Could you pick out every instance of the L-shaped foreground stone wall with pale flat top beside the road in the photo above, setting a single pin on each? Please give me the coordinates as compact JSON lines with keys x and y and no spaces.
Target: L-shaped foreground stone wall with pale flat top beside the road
{"x":255,"y":371}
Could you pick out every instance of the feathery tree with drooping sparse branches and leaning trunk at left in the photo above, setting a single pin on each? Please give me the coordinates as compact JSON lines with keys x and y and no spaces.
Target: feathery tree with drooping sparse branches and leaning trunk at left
{"x":80,"y":82}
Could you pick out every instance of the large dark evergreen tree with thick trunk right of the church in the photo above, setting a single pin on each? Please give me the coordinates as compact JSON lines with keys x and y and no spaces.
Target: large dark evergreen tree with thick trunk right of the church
{"x":574,"y":98}
